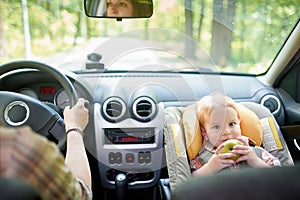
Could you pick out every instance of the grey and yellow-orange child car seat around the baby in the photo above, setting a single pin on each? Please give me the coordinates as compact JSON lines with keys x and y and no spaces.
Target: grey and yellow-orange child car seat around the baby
{"x":183,"y":139}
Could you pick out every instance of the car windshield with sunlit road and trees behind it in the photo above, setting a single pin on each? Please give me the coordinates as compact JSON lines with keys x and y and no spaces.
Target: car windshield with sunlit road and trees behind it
{"x":181,"y":35}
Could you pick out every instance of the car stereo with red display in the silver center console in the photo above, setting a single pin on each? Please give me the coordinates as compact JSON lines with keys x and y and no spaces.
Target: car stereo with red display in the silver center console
{"x":129,"y":136}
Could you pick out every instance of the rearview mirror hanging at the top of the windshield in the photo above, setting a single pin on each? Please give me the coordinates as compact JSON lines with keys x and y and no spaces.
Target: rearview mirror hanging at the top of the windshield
{"x":118,"y":8}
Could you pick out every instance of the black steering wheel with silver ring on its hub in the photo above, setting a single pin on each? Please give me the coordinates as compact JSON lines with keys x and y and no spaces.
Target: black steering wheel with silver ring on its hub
{"x":18,"y":110}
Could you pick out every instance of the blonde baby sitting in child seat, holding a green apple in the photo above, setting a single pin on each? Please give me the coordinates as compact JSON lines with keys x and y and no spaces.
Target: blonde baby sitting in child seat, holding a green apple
{"x":220,"y":121}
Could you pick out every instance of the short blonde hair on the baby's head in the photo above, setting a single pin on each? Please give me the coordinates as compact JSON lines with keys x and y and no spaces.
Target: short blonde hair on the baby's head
{"x":213,"y":101}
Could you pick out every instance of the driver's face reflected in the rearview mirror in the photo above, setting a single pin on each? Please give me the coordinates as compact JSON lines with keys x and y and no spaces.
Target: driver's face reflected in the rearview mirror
{"x":119,"y":8}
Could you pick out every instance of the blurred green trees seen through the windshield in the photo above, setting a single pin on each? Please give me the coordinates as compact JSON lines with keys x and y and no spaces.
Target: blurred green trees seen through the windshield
{"x":239,"y":36}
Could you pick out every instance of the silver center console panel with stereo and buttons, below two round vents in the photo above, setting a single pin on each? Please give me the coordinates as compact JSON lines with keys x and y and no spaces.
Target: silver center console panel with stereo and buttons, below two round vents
{"x":131,"y":147}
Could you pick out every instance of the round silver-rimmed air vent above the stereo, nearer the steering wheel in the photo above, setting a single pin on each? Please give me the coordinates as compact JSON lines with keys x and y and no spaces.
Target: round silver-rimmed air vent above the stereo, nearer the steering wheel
{"x":113,"y":108}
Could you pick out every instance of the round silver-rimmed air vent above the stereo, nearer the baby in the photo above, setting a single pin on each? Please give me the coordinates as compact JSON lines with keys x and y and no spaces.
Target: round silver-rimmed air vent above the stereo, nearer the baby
{"x":144,"y":108}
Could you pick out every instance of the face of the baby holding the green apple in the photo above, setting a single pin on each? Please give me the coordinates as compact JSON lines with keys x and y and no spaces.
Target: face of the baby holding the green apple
{"x":223,"y":125}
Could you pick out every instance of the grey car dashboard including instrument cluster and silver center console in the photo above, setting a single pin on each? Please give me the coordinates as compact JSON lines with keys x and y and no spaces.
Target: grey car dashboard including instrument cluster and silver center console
{"x":125,"y":131}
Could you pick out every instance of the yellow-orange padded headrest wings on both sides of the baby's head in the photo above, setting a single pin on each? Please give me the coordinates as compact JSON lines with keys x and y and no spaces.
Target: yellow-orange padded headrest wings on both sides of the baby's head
{"x":250,"y":127}
